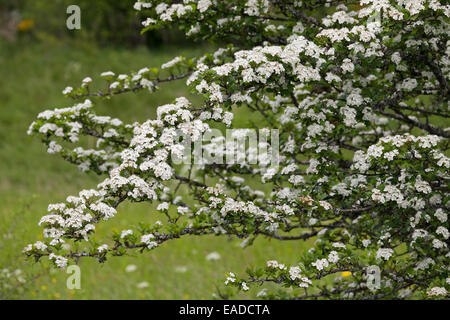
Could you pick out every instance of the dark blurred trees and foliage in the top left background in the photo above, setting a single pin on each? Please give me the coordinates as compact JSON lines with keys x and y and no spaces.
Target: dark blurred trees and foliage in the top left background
{"x":104,"y":22}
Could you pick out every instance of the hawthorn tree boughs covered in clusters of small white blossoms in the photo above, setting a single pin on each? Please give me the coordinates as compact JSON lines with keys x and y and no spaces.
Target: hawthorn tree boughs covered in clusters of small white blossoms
{"x":358,"y":92}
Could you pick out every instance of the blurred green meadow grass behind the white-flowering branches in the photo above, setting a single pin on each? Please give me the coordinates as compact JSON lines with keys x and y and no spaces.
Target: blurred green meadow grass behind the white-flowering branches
{"x":32,"y":78}
